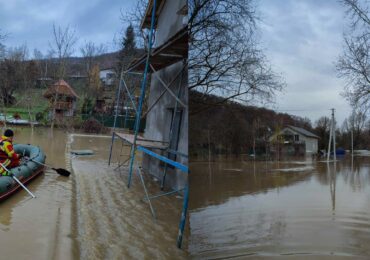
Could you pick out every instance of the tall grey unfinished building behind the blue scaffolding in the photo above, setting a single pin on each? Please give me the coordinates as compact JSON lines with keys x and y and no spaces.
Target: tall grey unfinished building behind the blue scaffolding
{"x":167,"y":120}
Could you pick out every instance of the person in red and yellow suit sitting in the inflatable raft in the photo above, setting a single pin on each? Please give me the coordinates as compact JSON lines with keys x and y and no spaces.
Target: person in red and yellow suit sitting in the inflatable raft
{"x":8,"y":157}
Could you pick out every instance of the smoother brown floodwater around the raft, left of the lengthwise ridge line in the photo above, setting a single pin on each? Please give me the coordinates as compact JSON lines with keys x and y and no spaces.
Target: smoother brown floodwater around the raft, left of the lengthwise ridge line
{"x":40,"y":228}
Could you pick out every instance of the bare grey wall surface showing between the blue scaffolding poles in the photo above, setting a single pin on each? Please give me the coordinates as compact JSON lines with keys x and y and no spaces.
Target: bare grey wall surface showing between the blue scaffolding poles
{"x":158,"y":120}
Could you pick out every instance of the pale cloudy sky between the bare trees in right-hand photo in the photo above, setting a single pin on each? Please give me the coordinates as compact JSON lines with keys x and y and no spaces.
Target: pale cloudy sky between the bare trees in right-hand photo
{"x":303,"y":40}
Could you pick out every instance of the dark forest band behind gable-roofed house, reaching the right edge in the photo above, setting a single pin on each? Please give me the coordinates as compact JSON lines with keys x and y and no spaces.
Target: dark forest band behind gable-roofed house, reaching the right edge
{"x":231,"y":128}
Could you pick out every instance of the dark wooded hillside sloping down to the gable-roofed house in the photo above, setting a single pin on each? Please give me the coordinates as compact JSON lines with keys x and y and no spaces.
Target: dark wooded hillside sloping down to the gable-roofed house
{"x":230,"y":127}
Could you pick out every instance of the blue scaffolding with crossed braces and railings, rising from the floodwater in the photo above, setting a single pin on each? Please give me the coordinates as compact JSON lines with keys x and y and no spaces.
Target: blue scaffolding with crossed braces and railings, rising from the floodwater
{"x":146,"y":146}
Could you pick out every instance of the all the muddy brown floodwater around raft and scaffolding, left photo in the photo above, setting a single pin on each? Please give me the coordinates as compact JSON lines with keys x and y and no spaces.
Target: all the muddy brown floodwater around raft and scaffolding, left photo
{"x":90,"y":215}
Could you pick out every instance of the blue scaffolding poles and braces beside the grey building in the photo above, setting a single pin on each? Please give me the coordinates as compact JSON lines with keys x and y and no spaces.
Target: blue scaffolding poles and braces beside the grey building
{"x":140,"y":144}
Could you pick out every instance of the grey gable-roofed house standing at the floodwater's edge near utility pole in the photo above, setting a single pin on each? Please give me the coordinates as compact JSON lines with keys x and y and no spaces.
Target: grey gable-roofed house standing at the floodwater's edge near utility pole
{"x":292,"y":140}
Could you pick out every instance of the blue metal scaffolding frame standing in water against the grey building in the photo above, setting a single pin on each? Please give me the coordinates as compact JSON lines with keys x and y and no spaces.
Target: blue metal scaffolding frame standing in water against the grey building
{"x":152,"y":61}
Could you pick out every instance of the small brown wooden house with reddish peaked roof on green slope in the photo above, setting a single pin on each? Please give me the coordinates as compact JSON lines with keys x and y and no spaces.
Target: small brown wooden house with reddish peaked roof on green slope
{"x":62,"y":99}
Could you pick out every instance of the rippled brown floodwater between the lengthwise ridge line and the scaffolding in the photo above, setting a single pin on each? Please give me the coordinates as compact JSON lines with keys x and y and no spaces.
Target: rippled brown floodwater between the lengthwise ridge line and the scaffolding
{"x":113,"y":221}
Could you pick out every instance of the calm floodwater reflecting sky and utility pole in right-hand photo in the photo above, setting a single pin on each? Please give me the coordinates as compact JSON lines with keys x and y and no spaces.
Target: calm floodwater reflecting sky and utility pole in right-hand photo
{"x":291,"y":209}
